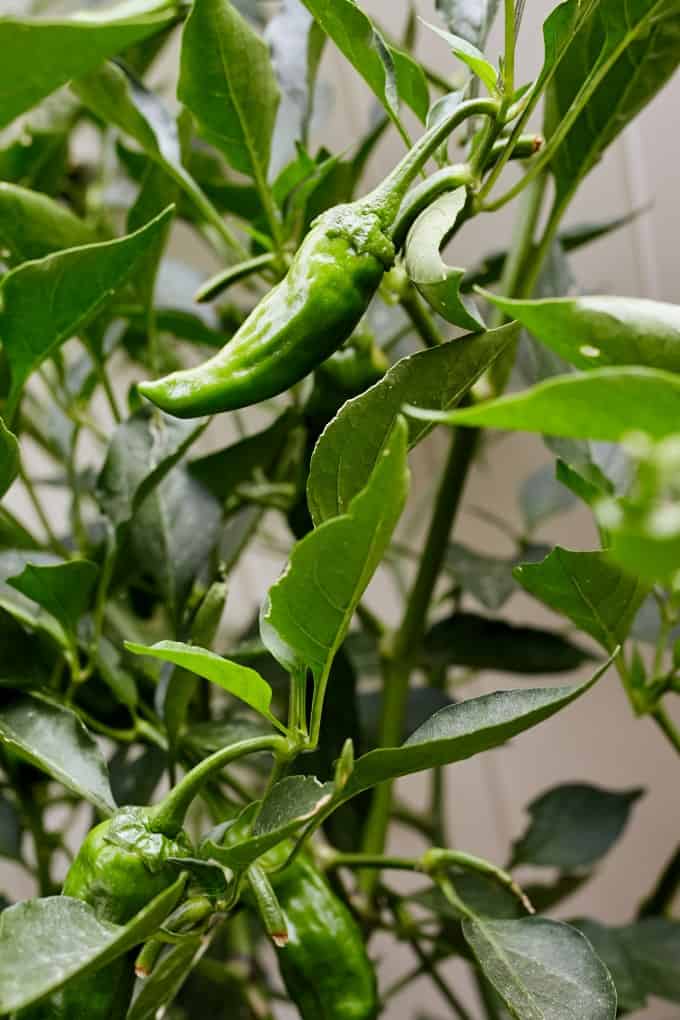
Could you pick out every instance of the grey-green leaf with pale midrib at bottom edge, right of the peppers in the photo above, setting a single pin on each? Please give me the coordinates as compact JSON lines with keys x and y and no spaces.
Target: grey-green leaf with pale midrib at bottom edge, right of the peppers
{"x":542,"y":970}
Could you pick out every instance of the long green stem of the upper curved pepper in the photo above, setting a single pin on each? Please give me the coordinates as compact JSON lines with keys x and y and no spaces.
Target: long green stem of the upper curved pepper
{"x":387,"y":198}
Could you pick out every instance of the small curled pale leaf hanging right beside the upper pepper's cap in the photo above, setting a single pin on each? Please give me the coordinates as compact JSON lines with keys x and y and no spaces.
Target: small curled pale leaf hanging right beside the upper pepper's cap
{"x":441,"y":284}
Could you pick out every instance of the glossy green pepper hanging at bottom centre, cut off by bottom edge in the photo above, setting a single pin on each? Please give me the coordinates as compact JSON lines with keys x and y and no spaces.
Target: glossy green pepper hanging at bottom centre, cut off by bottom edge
{"x":325,"y":965}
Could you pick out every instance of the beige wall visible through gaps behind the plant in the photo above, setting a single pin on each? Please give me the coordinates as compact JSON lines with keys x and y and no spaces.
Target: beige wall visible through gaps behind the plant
{"x":597,"y":740}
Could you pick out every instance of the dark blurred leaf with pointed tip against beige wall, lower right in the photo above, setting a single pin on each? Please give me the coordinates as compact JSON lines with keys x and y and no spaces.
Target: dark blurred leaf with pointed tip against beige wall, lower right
{"x":573,"y":827}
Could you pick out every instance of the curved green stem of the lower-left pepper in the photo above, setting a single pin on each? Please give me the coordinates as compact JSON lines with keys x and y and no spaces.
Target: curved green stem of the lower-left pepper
{"x":169,"y":817}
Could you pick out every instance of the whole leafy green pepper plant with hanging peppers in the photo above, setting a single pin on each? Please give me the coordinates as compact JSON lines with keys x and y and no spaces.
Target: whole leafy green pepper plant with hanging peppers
{"x":183,"y":789}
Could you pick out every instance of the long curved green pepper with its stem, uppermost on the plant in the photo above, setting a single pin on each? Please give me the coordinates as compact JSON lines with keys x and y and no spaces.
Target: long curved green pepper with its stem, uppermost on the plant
{"x":316,"y":309}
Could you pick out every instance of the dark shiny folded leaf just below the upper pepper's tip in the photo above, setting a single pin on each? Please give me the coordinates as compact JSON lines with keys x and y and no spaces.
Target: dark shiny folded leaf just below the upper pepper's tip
{"x":143,"y":450}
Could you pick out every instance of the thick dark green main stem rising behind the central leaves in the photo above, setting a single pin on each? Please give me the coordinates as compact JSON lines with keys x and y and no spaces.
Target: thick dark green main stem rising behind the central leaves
{"x":406,"y":646}
